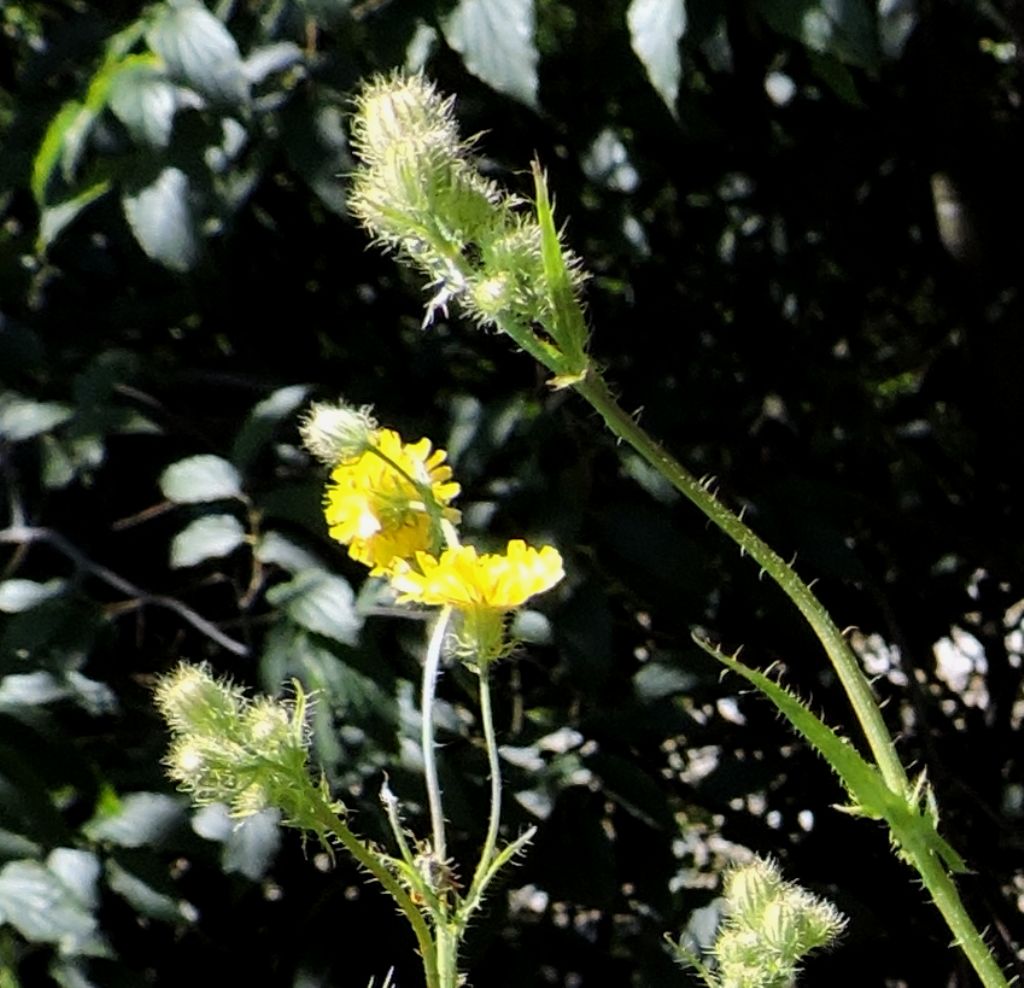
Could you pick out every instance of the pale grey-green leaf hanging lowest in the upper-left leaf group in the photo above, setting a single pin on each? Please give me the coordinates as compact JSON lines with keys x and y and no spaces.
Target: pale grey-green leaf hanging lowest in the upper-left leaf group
{"x":161,"y":218}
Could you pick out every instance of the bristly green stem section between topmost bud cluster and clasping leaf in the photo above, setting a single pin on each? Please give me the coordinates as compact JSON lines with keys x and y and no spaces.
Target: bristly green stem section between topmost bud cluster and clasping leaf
{"x":595,"y":392}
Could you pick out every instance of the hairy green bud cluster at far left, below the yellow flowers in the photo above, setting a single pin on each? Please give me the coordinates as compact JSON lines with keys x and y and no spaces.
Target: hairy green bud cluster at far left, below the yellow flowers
{"x":248,"y":754}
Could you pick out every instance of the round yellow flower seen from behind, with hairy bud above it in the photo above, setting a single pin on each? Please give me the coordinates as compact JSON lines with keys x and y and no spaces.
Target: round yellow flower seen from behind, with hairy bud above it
{"x":375,"y":503}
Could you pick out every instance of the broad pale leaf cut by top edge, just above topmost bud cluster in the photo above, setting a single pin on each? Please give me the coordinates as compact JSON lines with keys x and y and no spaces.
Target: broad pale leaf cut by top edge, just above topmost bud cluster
{"x":496,"y":41}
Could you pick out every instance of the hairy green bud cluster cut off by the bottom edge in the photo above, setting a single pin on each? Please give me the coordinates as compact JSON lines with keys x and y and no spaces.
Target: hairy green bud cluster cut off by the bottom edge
{"x":770,"y":927}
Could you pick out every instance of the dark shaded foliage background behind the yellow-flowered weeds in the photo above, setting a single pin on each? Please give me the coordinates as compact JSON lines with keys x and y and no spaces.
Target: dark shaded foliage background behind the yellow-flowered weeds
{"x":796,"y":217}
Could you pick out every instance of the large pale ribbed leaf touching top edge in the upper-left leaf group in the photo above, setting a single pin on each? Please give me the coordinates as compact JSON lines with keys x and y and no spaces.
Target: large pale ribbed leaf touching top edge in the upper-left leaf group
{"x":200,"y":53}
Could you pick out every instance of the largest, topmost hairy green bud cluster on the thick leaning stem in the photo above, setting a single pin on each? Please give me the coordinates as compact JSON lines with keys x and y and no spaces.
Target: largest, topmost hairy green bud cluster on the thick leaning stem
{"x":420,"y":193}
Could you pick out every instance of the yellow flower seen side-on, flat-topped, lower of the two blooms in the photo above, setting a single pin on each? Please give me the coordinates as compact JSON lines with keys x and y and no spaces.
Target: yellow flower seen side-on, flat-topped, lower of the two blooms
{"x":467,"y":582}
